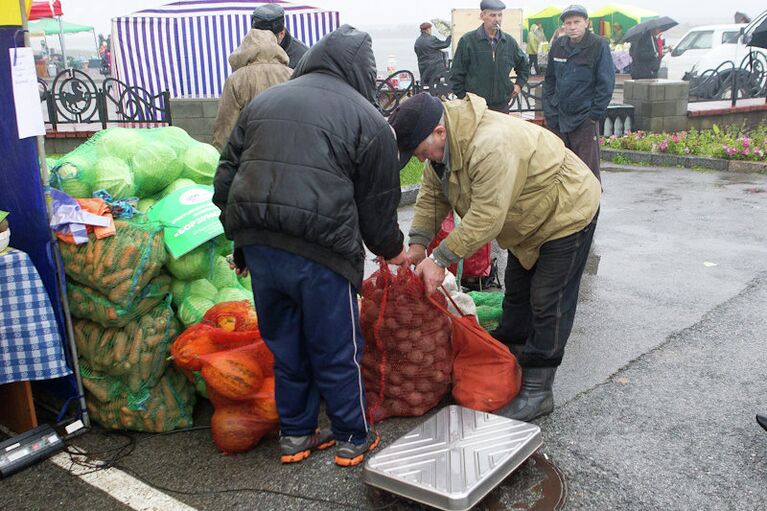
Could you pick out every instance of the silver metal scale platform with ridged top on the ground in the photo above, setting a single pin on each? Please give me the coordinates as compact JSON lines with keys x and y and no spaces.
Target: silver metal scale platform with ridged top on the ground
{"x":454,"y":458}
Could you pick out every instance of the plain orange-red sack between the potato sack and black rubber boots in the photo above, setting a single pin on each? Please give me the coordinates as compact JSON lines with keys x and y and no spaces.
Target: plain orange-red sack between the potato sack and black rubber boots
{"x":486,"y":375}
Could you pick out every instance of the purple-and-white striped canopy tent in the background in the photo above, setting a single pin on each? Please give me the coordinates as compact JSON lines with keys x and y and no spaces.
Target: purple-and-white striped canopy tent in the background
{"x":183,"y":47}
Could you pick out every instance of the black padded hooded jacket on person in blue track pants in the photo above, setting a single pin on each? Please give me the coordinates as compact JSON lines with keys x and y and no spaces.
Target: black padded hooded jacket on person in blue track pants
{"x":312,"y":166}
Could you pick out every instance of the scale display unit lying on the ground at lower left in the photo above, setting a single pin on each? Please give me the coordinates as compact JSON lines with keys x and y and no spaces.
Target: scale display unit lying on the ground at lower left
{"x":23,"y":450}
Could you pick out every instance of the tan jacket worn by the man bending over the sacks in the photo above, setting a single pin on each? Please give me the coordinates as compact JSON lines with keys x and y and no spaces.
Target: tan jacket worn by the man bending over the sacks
{"x":509,"y":180}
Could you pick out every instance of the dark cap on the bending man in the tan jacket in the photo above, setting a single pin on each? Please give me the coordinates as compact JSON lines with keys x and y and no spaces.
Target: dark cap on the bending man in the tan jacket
{"x":413,"y":121}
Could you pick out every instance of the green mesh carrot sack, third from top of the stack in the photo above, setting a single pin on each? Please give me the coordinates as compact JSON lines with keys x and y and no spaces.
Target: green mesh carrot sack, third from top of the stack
{"x":137,"y":354}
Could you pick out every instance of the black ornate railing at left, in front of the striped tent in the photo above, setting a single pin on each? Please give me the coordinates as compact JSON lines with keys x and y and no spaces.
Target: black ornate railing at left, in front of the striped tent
{"x":74,"y":98}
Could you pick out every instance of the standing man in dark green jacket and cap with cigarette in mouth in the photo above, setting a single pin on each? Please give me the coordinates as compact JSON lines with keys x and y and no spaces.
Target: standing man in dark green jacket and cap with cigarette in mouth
{"x":484,"y":59}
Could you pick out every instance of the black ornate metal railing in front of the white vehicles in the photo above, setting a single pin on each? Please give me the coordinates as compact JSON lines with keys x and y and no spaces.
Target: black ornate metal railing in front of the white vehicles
{"x":730,"y":81}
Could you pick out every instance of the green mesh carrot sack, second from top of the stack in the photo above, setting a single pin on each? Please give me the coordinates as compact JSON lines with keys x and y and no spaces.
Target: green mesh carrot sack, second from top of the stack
{"x":86,"y":303}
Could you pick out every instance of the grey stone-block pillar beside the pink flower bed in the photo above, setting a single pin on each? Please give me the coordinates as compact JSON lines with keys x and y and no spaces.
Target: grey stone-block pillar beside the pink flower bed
{"x":659,"y":105}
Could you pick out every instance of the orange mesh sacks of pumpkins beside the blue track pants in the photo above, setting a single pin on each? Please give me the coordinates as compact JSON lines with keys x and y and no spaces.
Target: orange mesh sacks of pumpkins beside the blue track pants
{"x":226,"y":350}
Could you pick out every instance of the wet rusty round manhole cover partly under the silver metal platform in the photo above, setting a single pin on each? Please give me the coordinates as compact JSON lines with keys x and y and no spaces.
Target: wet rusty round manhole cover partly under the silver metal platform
{"x":537,"y":485}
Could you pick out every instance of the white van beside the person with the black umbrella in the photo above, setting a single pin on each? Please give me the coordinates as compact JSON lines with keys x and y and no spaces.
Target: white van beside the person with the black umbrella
{"x":695,"y":45}
